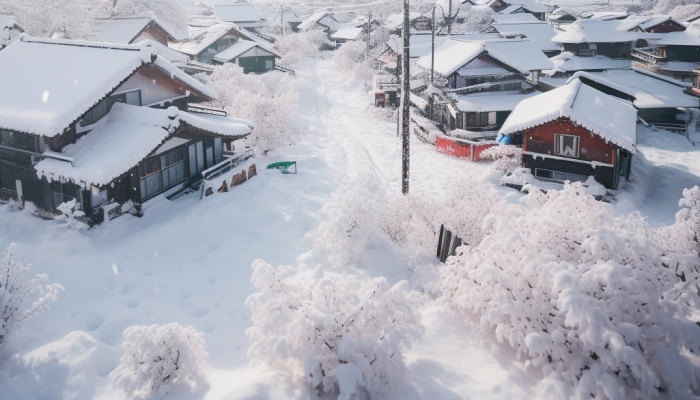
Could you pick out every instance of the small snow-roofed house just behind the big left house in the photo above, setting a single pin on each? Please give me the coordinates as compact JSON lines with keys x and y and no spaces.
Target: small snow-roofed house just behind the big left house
{"x":207,"y":42}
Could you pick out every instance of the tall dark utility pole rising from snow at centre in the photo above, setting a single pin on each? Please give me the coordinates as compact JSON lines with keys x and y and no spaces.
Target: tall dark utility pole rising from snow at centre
{"x":405,"y":101}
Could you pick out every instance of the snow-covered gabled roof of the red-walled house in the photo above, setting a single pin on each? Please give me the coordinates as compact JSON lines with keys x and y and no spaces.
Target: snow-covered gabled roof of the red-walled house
{"x":604,"y":115}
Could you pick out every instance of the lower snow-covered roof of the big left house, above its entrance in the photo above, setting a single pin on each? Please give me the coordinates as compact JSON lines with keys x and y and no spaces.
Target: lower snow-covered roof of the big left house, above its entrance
{"x":124,"y":138}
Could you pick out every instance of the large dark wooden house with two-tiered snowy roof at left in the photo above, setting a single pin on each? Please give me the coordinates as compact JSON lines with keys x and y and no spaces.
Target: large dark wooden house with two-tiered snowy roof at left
{"x":108,"y":125}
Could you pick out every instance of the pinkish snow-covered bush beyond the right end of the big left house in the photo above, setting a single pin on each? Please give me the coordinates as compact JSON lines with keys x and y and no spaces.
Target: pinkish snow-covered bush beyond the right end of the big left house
{"x":268,"y":100}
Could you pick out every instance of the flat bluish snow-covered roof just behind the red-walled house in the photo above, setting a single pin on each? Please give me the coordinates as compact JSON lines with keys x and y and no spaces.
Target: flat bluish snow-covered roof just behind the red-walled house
{"x":648,"y":91}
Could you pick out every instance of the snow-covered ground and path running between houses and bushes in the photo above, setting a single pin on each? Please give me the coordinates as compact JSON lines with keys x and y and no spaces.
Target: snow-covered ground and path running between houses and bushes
{"x":189,"y":261}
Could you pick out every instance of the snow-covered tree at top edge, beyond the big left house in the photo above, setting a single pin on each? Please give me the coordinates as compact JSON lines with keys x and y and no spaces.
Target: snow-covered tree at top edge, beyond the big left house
{"x":169,"y":12}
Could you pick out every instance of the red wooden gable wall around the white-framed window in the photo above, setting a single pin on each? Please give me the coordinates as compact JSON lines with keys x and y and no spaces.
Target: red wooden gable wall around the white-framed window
{"x":591,"y":146}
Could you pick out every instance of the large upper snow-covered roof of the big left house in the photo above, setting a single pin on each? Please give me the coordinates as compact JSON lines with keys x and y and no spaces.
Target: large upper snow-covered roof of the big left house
{"x":50,"y":83}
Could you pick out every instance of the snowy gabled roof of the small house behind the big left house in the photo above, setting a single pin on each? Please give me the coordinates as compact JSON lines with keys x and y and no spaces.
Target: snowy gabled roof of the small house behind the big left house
{"x":203,"y":37}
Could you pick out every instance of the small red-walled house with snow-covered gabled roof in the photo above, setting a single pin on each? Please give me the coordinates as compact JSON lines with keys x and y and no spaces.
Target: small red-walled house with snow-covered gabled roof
{"x":573,"y":132}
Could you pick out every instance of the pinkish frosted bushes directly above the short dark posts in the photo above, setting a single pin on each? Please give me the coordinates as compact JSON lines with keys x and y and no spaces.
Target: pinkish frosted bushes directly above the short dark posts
{"x":414,"y":221}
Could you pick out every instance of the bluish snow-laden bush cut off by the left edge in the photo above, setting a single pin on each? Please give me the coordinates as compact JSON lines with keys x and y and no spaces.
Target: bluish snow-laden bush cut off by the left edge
{"x":21,"y":298}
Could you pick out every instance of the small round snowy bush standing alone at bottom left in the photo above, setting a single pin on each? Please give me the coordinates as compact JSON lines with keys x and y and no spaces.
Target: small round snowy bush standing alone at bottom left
{"x":158,"y":358}
